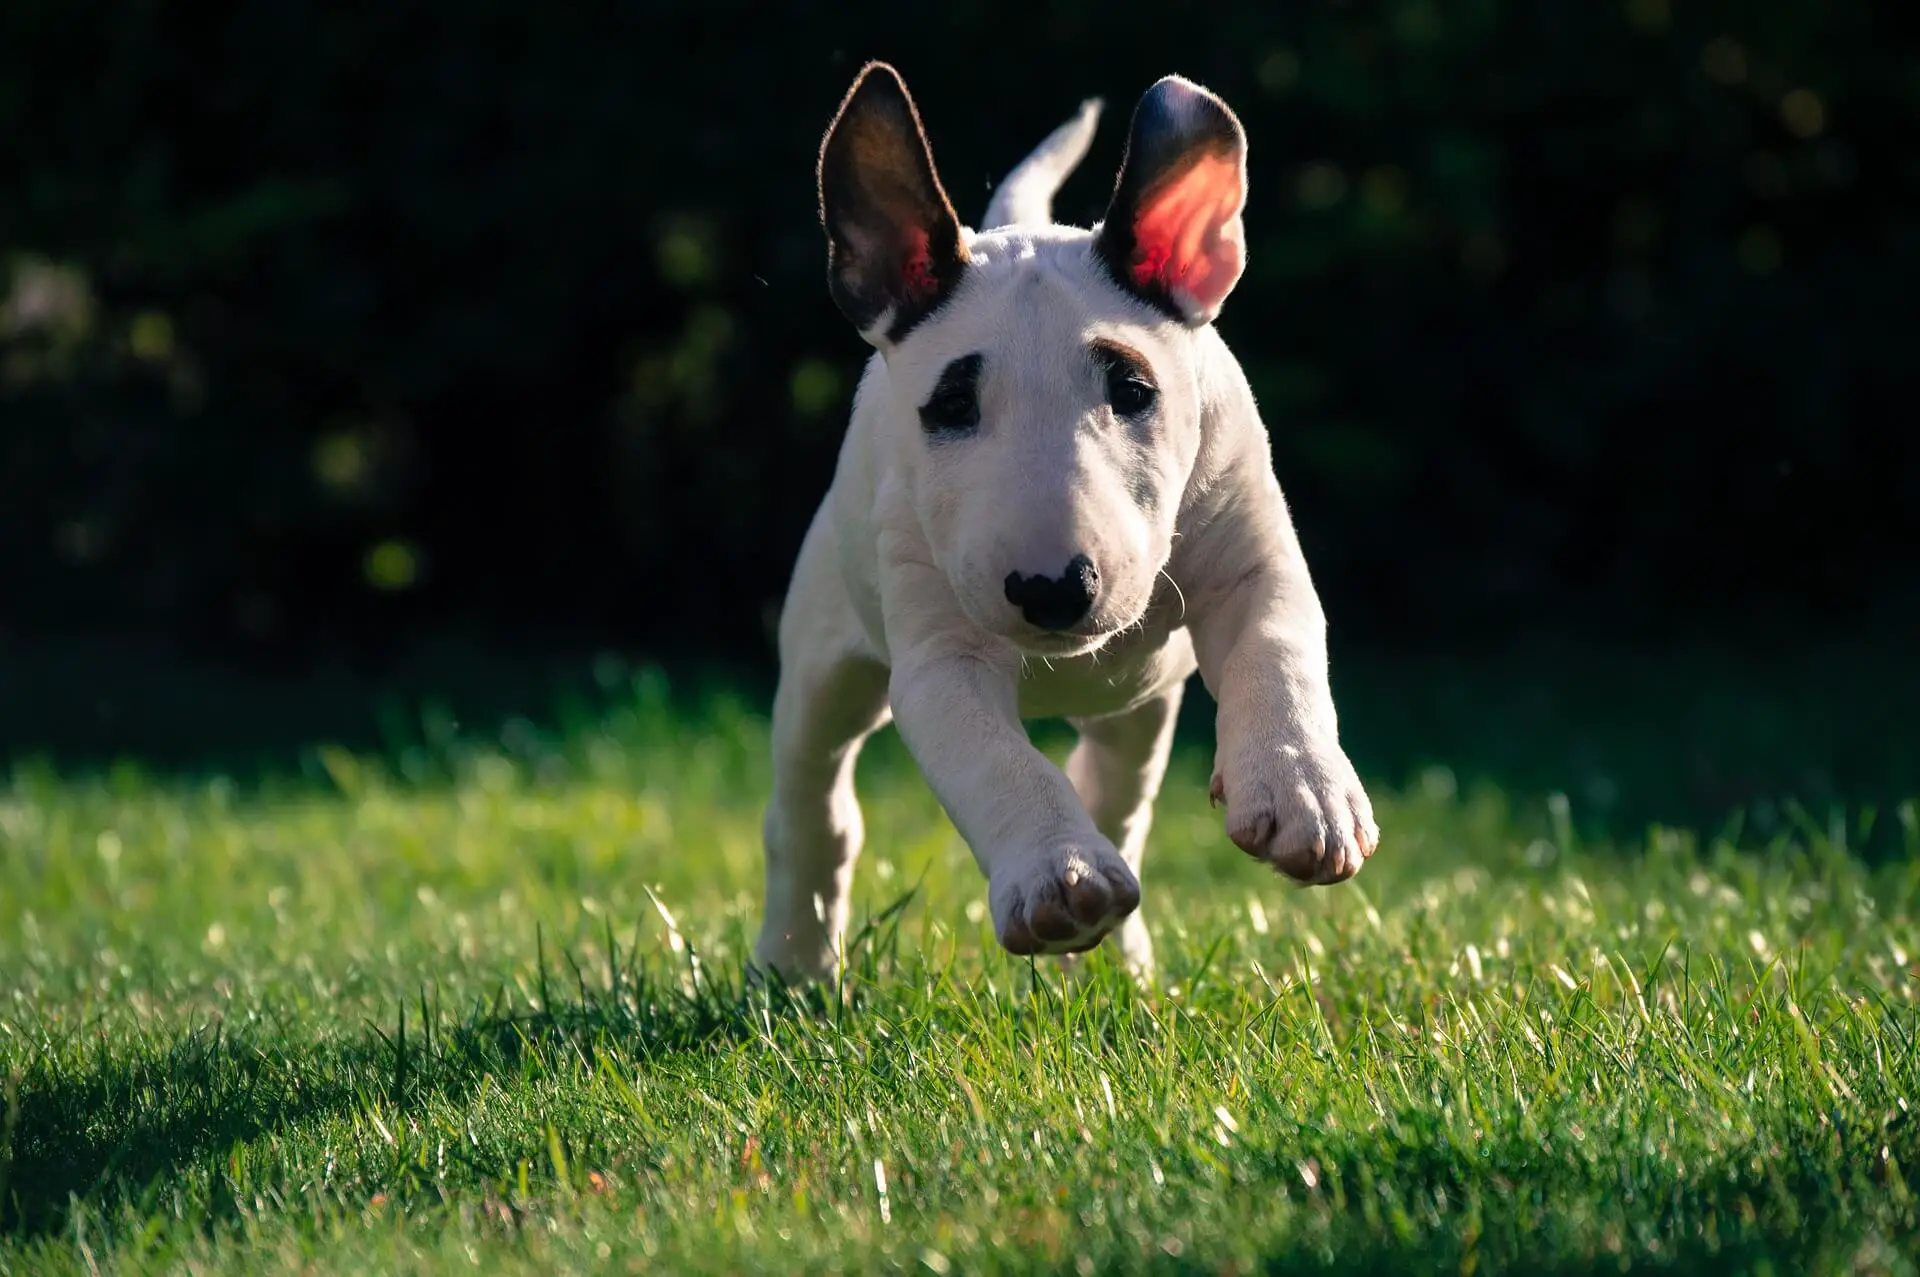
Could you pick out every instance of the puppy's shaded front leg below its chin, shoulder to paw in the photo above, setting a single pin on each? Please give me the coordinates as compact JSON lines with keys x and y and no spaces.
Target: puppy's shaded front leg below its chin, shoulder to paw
{"x":1055,"y":882}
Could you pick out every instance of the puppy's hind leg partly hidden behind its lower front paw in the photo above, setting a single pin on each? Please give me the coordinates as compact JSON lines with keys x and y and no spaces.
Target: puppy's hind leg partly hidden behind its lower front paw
{"x":1116,"y":769}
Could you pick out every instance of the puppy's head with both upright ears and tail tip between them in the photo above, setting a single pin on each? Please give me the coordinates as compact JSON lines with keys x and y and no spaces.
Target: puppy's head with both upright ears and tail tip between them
{"x":1045,"y":381}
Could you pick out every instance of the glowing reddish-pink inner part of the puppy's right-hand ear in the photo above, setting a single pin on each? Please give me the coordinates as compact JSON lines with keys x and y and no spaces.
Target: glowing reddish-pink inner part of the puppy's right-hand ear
{"x":1188,"y":233}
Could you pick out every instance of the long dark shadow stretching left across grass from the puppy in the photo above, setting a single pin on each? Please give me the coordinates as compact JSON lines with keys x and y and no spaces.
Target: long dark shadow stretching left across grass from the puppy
{"x":122,"y":1126}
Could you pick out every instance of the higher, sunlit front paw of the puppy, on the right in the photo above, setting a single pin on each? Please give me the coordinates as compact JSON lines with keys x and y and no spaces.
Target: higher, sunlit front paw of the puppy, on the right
{"x":1303,"y":811}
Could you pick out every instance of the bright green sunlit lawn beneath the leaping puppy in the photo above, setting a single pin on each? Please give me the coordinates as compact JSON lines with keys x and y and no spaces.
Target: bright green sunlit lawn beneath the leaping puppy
{"x":429,"y":1013}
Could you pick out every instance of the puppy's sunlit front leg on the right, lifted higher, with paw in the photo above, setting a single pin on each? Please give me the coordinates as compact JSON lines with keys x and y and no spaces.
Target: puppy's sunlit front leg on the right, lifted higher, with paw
{"x":1293,"y":798}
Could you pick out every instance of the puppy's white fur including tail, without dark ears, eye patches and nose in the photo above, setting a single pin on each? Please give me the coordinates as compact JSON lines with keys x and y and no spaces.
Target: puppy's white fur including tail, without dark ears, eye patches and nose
{"x":898,"y":608}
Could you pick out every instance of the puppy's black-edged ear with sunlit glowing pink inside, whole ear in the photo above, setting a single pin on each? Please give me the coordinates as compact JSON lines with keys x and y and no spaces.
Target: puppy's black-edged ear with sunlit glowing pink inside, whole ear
{"x":1172,"y":233}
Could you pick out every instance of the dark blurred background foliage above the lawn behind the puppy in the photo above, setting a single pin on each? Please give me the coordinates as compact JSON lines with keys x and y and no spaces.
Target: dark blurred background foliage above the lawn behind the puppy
{"x":337,"y":335}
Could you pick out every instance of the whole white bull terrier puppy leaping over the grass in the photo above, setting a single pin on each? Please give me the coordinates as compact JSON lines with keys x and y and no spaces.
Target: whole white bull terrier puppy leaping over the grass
{"x":1055,"y":500}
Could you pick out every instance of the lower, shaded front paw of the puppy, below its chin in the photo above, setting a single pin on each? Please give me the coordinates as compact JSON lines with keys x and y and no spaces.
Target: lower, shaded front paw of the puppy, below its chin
{"x":1063,"y":900}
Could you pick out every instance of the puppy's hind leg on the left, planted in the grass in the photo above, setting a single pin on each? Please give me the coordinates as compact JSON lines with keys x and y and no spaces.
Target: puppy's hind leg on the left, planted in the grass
{"x":830,"y":700}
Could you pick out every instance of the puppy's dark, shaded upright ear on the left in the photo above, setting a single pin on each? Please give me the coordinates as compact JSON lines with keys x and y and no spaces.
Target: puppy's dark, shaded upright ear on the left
{"x":894,"y":239}
